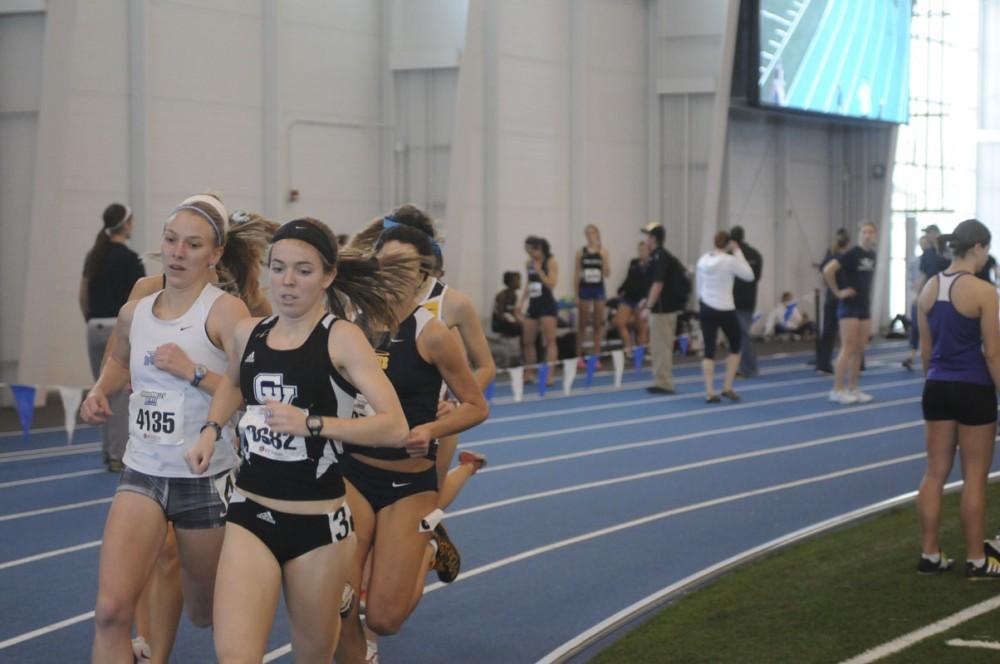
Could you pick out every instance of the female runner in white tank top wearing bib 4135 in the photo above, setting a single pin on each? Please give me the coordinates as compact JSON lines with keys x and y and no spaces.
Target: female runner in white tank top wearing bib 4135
{"x":172,"y":348}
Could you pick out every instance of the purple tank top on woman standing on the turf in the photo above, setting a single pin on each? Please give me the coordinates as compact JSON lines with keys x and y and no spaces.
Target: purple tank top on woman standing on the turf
{"x":957,"y":354}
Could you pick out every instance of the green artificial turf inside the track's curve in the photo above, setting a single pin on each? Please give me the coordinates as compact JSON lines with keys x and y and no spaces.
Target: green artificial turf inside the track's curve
{"x":825,"y":600}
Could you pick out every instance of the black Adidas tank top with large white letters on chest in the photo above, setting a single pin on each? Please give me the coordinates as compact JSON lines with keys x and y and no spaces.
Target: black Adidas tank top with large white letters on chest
{"x":283,"y":466}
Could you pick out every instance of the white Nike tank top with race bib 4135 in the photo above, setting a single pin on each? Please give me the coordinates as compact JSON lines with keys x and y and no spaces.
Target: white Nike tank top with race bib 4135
{"x":166,"y":412}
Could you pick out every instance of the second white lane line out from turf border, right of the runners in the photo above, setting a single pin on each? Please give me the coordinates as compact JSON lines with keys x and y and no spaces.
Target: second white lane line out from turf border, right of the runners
{"x":684,"y":467}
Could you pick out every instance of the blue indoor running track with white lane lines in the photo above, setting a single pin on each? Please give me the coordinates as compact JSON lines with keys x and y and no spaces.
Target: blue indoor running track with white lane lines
{"x":590,"y":503}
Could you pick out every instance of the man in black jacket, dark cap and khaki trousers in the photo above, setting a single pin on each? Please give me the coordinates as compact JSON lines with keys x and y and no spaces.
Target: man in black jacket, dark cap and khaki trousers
{"x":668,"y":292}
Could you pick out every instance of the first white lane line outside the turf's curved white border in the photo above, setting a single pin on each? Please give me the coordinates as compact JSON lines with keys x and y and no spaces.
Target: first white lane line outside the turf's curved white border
{"x":659,"y":516}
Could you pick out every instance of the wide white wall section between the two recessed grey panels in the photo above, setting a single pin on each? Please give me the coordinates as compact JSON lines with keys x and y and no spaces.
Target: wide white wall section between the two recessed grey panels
{"x":549,"y":136}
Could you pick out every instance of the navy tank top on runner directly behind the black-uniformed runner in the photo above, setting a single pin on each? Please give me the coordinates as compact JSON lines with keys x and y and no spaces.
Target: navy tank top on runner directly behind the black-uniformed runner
{"x":417,"y":383}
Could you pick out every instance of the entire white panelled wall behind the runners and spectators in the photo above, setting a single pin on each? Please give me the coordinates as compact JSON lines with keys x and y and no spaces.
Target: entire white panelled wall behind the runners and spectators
{"x":503,"y":118}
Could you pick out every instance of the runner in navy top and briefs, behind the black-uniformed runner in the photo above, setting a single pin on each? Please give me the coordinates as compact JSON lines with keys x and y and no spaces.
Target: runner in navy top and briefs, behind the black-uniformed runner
{"x":390,"y":494}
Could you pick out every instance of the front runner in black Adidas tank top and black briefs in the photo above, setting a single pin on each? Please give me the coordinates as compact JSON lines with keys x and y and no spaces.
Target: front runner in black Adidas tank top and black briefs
{"x":288,"y":524}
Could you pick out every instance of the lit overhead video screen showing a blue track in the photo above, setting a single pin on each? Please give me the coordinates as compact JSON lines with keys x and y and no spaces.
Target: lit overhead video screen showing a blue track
{"x":838,"y":57}
